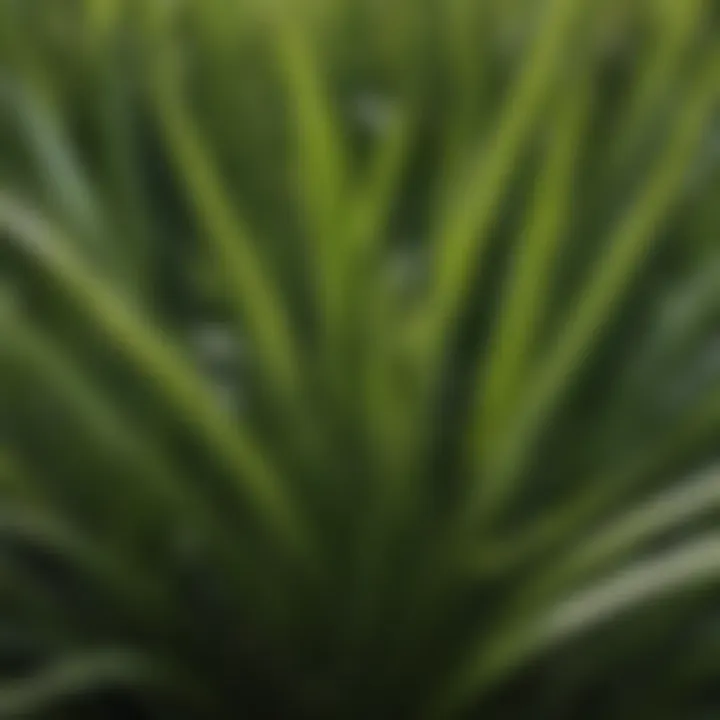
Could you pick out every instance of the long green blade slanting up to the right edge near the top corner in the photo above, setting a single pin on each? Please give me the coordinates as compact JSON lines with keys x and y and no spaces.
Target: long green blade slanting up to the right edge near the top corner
{"x":627,"y":250}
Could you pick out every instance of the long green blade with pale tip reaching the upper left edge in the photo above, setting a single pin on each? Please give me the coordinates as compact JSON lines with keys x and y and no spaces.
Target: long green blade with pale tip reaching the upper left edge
{"x":171,"y":376}
